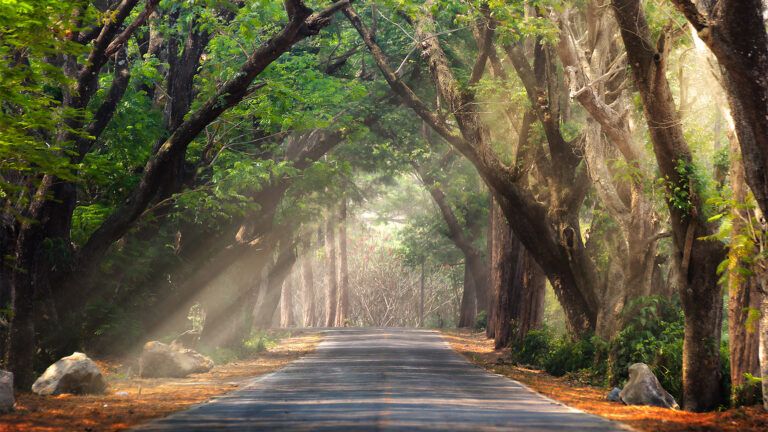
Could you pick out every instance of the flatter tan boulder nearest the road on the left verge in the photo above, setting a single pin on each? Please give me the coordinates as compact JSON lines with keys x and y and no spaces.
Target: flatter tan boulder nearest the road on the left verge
{"x":160,"y":360}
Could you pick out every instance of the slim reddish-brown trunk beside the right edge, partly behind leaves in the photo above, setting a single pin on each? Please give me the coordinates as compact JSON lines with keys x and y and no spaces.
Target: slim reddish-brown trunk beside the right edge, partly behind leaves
{"x":743,"y":293}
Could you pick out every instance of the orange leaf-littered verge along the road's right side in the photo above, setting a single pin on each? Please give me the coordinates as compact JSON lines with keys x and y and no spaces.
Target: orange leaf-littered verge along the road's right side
{"x":476,"y":348}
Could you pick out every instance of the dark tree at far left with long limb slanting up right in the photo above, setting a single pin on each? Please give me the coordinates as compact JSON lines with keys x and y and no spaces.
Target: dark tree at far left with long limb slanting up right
{"x":103,"y":40}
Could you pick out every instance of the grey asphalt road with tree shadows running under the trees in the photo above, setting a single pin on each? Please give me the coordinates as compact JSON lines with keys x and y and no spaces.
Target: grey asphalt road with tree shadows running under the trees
{"x":382,"y":380}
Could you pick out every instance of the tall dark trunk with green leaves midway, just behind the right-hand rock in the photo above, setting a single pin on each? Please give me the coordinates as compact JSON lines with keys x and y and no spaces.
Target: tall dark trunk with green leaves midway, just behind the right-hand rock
{"x":696,"y":258}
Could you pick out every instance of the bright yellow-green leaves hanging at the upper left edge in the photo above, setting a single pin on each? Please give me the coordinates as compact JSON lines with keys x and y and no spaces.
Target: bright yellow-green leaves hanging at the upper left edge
{"x":30,"y":89}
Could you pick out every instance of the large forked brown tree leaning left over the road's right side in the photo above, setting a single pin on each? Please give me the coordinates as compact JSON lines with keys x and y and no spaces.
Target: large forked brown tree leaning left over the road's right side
{"x":551,"y":237}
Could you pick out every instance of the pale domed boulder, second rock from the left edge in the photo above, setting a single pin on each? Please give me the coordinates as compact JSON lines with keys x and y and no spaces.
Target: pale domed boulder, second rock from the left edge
{"x":74,"y":374}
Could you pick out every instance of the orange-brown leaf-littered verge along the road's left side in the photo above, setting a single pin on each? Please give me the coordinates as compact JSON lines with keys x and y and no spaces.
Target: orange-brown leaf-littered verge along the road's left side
{"x":130,"y":401}
